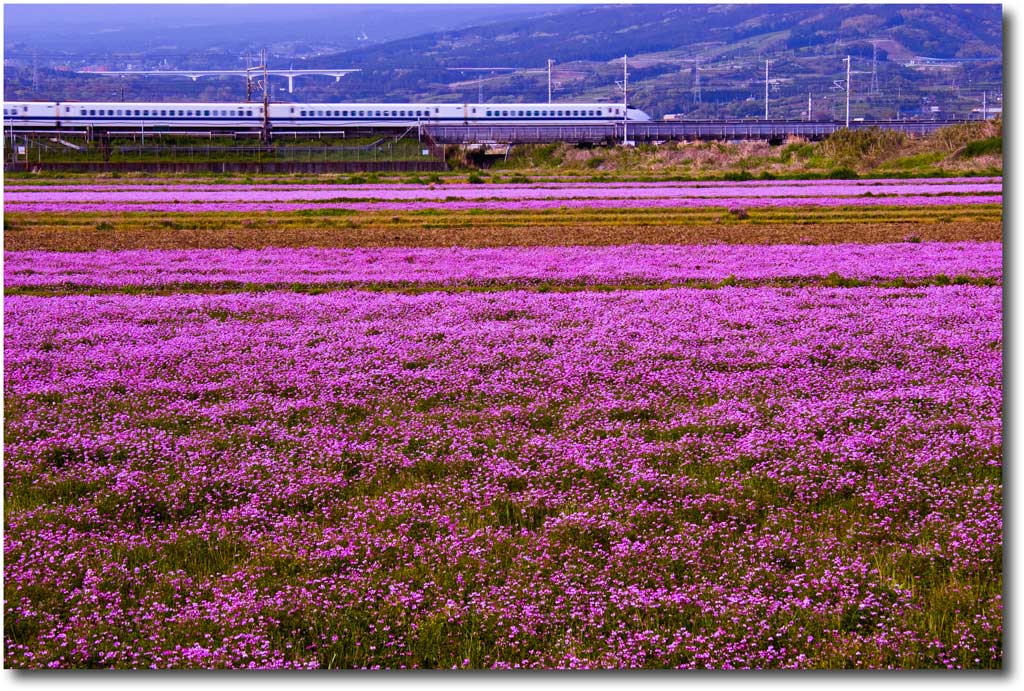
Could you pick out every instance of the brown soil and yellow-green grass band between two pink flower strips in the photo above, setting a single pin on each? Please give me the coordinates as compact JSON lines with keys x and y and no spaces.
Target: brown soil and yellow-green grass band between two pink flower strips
{"x":82,"y":233}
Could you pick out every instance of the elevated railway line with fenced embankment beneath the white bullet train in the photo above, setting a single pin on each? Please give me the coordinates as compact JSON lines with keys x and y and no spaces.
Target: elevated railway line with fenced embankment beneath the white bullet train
{"x":99,"y":149}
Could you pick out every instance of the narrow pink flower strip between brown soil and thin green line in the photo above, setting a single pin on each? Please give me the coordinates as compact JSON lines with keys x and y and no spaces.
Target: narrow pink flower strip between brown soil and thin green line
{"x":453,"y":267}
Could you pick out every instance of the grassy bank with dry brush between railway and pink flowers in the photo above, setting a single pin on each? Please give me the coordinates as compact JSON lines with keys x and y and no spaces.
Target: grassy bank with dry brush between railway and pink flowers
{"x":968,"y":150}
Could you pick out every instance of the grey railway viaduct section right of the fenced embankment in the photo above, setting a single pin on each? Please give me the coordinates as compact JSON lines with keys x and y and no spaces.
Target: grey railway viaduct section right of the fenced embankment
{"x":665,"y":132}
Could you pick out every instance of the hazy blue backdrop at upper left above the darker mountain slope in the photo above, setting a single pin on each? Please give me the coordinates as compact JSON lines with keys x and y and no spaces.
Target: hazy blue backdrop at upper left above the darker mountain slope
{"x":108,"y":32}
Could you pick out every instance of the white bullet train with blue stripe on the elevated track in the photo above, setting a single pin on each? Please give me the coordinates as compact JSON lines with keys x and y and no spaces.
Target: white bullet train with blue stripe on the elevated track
{"x":114,"y":115}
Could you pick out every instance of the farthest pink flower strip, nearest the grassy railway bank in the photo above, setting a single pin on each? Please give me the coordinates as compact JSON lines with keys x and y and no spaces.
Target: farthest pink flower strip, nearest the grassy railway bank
{"x":550,"y":196}
